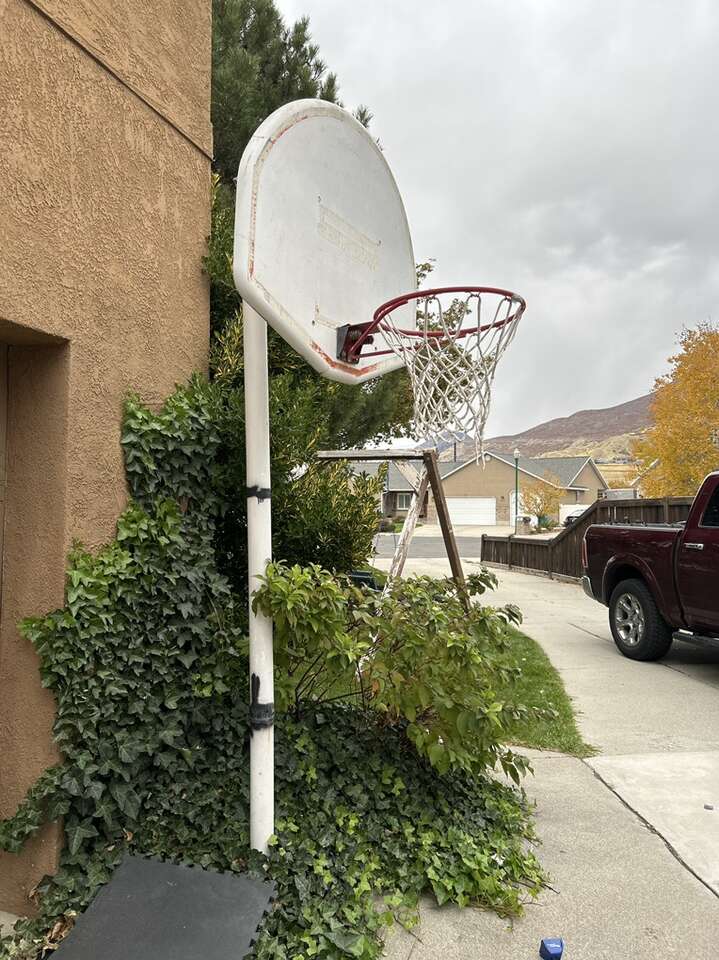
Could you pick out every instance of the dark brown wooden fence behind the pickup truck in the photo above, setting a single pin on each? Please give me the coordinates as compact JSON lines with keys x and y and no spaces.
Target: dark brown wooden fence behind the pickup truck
{"x":562,"y":555}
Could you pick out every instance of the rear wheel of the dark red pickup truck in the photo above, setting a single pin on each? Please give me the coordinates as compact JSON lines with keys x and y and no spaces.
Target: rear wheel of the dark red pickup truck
{"x":639,"y":630}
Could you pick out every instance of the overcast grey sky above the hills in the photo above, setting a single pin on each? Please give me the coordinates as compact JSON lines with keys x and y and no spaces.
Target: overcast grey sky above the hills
{"x":566,"y":149}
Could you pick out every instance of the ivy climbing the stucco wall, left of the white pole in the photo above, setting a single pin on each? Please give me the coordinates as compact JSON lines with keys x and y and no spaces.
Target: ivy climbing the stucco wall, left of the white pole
{"x":135,"y":656}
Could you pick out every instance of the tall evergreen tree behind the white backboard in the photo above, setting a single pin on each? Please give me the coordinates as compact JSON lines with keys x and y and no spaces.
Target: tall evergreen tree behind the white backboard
{"x":259,"y":63}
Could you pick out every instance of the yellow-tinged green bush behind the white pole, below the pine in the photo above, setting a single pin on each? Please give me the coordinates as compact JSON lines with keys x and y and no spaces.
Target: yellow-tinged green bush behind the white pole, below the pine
{"x":320,"y":513}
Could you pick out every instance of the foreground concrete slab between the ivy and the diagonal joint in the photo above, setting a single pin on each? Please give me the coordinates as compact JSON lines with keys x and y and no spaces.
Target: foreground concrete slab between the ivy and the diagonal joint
{"x":619,"y":892}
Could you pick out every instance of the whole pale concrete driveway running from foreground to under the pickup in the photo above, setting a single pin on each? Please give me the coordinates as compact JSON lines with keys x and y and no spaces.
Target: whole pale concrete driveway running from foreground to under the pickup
{"x":630,"y":837}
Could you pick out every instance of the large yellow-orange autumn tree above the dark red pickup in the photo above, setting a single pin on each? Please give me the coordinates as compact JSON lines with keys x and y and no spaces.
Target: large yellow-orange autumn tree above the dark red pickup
{"x":682,"y":445}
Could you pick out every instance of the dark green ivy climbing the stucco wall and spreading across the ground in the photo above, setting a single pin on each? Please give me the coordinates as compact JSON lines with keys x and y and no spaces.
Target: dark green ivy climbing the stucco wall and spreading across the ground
{"x":146,"y":666}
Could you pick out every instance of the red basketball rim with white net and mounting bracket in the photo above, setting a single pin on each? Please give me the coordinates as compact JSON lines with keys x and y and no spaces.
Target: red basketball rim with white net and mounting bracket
{"x":451,"y":354}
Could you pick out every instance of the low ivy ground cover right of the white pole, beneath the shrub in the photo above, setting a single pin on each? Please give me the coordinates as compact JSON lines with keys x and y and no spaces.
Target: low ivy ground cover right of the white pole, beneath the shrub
{"x":365,"y":825}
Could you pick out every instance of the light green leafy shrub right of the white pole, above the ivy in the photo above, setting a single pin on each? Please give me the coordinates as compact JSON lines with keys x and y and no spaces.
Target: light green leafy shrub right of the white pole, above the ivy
{"x":416,"y":655}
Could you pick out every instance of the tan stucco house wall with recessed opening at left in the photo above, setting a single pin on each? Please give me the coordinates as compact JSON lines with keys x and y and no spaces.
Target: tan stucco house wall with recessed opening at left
{"x":104,"y":211}
